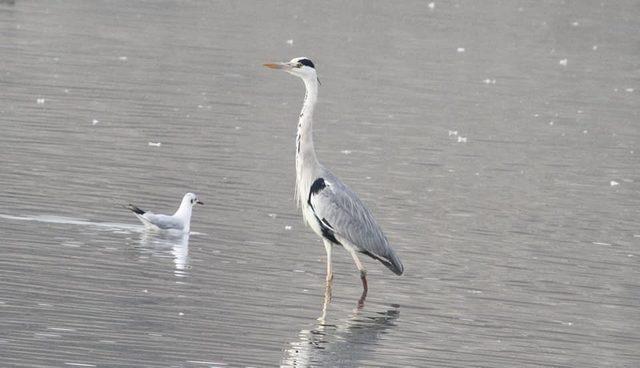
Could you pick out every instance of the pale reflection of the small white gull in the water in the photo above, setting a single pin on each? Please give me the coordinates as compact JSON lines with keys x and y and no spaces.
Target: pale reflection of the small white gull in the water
{"x":166,"y":244}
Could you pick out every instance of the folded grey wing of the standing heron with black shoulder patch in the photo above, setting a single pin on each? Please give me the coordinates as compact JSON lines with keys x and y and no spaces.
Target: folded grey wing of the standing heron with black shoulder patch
{"x":342,"y":215}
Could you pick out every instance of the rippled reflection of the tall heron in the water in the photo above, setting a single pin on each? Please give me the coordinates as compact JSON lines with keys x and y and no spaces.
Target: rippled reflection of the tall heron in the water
{"x":343,"y":344}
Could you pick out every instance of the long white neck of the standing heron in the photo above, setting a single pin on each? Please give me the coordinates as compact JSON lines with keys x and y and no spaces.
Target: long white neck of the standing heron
{"x":306,"y":161}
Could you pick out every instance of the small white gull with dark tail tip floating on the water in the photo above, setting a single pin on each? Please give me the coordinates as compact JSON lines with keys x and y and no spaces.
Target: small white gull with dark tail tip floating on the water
{"x":180,"y":220}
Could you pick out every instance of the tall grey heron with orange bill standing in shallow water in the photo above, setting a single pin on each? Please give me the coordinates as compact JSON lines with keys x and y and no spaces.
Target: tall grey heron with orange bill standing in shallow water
{"x":329,"y":207}
